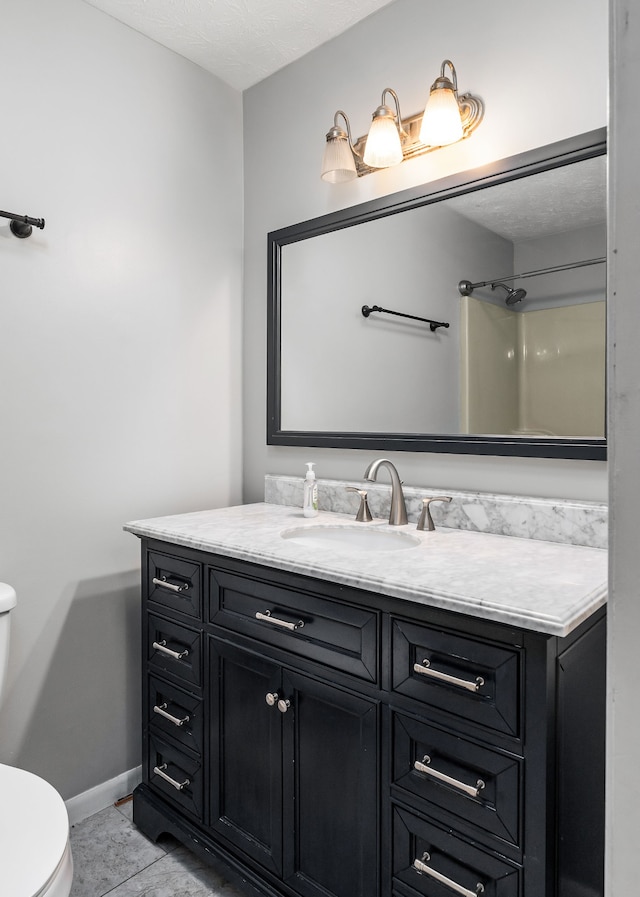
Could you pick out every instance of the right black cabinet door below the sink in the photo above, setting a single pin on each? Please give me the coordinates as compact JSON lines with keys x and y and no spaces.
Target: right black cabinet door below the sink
{"x":330,"y":790}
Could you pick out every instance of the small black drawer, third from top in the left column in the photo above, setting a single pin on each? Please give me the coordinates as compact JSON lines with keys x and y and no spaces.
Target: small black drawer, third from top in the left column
{"x":175,"y":714}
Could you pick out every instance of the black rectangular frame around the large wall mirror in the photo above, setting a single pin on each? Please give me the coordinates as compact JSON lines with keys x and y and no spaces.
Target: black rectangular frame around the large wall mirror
{"x":555,"y":155}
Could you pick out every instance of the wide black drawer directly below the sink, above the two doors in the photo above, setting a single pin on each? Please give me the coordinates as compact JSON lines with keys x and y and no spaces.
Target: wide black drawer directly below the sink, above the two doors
{"x":317,"y":628}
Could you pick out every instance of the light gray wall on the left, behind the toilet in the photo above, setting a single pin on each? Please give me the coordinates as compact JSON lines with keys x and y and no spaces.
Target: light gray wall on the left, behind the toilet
{"x":119,"y":358}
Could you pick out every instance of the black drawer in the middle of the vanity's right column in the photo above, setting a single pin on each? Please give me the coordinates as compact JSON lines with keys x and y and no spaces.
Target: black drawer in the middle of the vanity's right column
{"x":479,"y":786}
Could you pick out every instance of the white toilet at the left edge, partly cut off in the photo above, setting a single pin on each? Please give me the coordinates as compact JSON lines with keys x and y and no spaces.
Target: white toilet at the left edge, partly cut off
{"x":35,"y":854}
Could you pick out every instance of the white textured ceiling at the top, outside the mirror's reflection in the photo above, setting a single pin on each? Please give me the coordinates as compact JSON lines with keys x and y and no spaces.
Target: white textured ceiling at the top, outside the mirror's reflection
{"x":240,"y":41}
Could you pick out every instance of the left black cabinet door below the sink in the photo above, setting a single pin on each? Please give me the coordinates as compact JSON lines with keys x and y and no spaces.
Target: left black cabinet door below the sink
{"x":246,"y":753}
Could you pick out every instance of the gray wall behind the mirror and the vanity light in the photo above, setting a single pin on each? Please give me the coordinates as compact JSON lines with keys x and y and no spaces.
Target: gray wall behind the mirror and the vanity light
{"x":287,"y":115}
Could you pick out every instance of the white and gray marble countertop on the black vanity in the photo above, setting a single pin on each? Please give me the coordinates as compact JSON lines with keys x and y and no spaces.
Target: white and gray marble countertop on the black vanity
{"x":543,"y":586}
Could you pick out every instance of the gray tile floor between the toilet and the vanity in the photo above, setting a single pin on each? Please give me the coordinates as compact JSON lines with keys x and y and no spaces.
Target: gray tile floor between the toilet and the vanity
{"x":111,"y":857}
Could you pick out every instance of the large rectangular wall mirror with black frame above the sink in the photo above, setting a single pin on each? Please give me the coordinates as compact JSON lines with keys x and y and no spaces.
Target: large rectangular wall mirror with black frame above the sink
{"x":464,"y":316}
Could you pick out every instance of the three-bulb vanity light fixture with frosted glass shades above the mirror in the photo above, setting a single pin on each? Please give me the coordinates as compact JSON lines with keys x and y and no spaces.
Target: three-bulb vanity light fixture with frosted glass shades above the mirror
{"x":448,"y":117}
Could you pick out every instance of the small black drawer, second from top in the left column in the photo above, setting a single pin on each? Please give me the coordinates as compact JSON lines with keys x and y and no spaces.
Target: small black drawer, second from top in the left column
{"x":174,"y":649}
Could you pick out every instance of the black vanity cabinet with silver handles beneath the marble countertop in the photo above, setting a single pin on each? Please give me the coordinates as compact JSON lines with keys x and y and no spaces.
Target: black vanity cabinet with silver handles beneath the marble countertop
{"x":321,"y":740}
